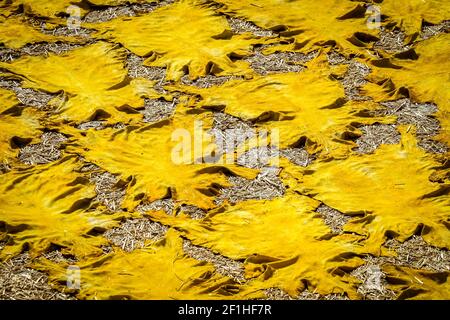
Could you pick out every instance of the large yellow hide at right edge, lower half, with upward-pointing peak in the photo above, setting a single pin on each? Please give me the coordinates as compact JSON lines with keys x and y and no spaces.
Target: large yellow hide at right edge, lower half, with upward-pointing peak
{"x":390,"y":187}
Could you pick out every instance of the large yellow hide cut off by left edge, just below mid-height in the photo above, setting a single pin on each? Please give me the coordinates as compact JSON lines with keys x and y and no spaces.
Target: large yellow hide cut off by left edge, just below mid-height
{"x":47,"y":205}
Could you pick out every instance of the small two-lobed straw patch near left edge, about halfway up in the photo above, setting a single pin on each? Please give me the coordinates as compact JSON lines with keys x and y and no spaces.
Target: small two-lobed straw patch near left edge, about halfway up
{"x":47,"y":151}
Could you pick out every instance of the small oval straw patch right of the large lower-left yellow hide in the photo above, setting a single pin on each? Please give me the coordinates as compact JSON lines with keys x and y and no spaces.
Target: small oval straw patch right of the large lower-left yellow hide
{"x":133,"y":233}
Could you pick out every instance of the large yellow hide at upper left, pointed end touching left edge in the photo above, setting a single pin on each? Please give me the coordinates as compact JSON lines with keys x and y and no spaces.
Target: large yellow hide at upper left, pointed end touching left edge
{"x":93,"y":77}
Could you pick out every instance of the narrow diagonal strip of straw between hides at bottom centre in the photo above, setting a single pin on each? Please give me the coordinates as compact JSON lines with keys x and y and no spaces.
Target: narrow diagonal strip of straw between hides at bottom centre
{"x":225,"y":266}
